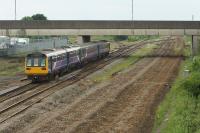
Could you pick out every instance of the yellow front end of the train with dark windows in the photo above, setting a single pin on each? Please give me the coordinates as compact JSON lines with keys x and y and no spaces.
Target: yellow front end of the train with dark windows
{"x":36,"y":67}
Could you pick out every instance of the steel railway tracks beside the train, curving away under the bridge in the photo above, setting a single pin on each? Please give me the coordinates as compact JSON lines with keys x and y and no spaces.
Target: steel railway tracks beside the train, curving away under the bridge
{"x":24,"y":101}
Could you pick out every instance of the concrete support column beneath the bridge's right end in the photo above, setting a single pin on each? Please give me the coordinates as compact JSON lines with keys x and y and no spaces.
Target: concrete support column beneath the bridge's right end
{"x":195,"y":45}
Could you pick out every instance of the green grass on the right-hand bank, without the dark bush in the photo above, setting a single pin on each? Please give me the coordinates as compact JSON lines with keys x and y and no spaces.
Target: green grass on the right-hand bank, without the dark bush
{"x":178,"y":111}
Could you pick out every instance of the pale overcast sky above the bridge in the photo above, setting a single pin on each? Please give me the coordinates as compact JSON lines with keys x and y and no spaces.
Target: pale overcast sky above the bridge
{"x":102,"y":9}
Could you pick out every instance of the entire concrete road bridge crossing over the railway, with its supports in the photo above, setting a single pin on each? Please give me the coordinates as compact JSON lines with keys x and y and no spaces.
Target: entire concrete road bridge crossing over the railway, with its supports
{"x":84,"y":29}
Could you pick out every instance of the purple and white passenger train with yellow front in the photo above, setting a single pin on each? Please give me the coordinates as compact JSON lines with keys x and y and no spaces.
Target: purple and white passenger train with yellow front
{"x":51,"y":63}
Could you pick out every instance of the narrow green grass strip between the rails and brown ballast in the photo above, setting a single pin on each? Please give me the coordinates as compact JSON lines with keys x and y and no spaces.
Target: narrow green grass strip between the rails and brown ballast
{"x":125,"y":63}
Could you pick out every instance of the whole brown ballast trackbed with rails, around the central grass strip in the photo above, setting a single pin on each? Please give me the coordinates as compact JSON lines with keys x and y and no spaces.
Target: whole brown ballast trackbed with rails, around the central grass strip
{"x":125,"y":103}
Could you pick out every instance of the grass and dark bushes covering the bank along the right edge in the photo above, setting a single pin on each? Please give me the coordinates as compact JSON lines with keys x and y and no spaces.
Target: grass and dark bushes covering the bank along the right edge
{"x":179,"y":112}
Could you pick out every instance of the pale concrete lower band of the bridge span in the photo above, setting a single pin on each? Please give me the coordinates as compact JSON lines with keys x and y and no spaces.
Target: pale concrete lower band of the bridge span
{"x":85,"y":32}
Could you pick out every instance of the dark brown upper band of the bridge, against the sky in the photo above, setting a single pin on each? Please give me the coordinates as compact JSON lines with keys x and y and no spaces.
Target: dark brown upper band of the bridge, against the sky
{"x":77,"y":24}
